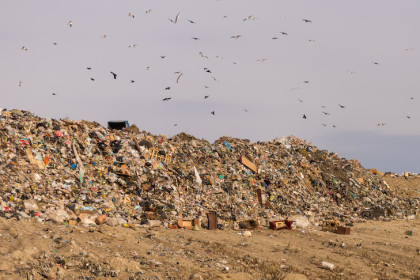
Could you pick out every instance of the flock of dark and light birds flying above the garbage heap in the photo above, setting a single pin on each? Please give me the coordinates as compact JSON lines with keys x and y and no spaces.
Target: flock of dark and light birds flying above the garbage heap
{"x":177,"y":79}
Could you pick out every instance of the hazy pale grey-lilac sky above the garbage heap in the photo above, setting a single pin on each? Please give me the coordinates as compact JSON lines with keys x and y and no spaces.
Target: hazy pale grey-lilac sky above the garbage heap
{"x":362,"y":55}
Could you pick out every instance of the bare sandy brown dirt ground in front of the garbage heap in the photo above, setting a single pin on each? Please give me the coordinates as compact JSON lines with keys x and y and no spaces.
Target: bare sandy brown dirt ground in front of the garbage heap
{"x":382,"y":250}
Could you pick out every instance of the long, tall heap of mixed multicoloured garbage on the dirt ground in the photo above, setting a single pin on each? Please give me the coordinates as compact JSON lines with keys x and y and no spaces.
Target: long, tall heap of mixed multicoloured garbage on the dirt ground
{"x":80,"y":172}
